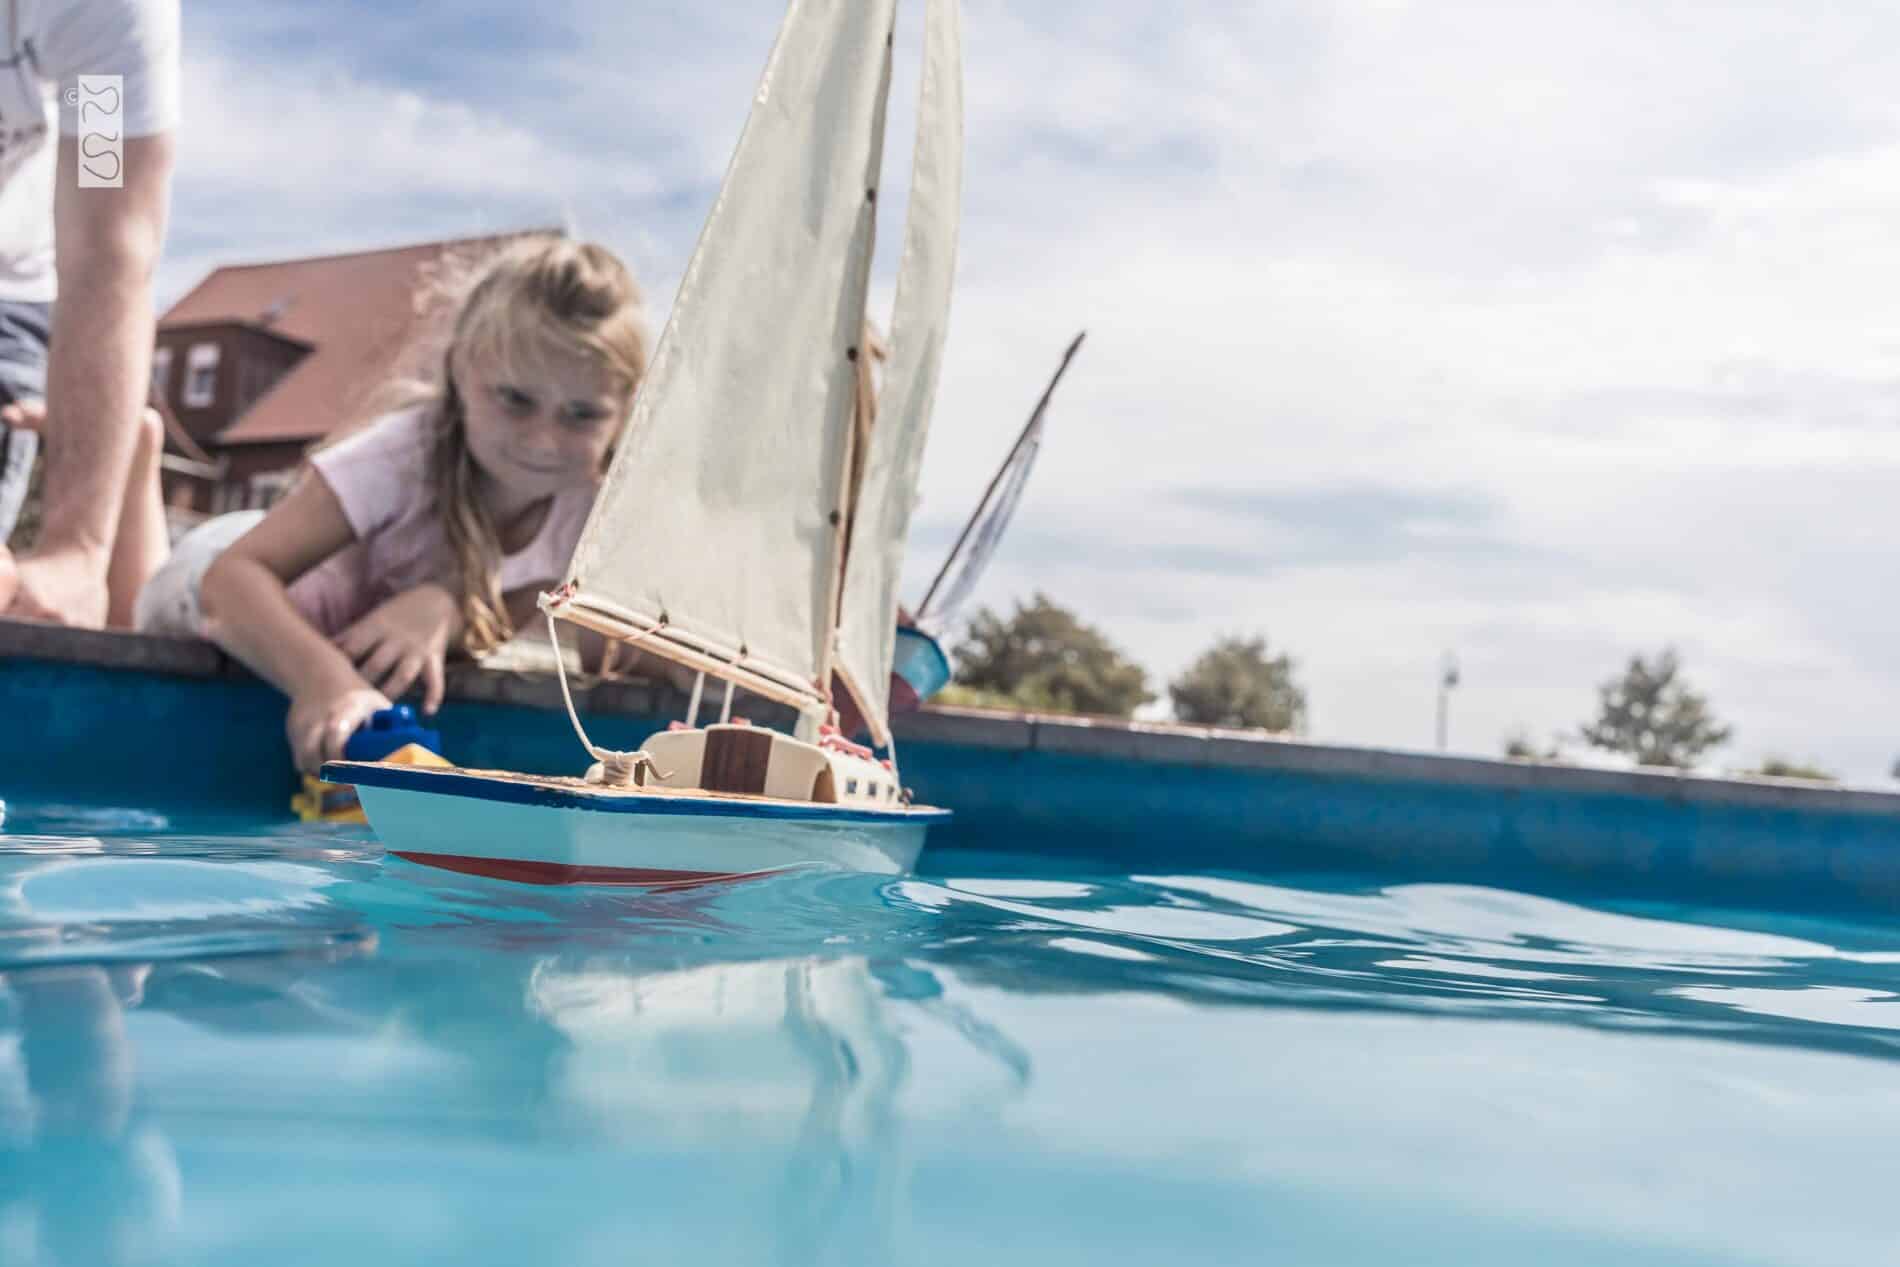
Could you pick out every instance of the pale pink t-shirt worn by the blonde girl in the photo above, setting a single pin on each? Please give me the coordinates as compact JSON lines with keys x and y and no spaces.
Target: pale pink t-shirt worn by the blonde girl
{"x":381,"y":476}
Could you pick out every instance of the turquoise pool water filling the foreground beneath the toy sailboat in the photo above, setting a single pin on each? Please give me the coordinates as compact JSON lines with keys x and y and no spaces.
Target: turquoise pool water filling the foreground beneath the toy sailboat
{"x":238,"y":1046}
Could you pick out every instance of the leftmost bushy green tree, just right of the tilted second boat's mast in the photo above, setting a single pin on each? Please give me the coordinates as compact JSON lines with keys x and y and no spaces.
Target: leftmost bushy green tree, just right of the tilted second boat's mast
{"x":1044,"y":658}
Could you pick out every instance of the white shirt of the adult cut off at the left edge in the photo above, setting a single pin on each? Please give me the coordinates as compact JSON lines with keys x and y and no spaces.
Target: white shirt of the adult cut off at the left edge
{"x":47,"y":47}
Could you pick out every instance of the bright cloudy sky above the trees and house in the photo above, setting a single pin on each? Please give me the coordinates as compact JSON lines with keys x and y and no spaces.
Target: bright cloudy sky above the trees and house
{"x":1542,"y":333}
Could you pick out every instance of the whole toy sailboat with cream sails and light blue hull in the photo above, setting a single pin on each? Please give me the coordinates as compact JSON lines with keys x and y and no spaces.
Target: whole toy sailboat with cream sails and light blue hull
{"x":731,"y":535}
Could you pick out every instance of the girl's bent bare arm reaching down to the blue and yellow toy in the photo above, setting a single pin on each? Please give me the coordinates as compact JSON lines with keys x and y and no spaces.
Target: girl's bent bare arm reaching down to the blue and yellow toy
{"x":250,"y":615}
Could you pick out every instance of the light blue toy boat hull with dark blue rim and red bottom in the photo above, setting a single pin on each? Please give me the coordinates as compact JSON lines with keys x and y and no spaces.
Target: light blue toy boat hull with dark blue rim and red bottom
{"x":558,"y":831}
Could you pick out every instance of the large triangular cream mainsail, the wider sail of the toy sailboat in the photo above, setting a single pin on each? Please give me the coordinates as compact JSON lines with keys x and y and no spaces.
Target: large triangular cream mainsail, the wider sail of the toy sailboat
{"x":715,"y":539}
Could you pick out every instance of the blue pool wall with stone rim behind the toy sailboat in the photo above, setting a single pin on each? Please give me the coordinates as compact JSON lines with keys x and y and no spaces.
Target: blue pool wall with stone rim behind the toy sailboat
{"x":172,"y":727}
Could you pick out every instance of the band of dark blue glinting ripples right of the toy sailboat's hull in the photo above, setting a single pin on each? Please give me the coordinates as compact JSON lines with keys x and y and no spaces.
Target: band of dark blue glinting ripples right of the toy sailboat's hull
{"x":1428,"y":949}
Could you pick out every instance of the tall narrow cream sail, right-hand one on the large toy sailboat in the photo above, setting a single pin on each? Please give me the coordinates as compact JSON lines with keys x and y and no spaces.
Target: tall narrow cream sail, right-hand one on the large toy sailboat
{"x":922,"y":312}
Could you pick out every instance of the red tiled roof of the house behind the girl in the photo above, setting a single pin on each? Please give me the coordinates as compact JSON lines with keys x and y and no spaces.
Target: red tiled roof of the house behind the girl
{"x":356,"y":312}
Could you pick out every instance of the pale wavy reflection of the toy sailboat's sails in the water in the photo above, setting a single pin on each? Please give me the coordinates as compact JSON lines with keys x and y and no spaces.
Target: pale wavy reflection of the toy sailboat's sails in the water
{"x":799,"y":1065}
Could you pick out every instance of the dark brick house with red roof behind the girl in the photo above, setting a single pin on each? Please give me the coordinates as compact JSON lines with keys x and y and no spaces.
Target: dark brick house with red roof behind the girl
{"x":261,"y":362}
